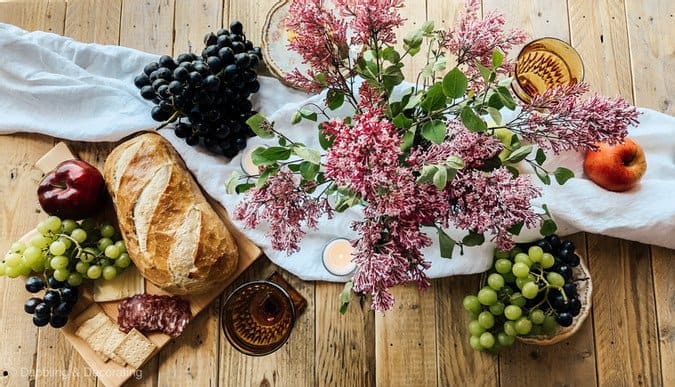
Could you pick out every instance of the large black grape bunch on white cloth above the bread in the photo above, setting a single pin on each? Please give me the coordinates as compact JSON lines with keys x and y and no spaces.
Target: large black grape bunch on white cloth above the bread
{"x":209,"y":93}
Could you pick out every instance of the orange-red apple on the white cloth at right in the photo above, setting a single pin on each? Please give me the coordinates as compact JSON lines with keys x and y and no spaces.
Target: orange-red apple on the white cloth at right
{"x":616,"y":167}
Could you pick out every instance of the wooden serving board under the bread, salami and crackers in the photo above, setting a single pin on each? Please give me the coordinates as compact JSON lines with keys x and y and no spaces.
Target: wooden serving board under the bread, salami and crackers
{"x":110,"y":373}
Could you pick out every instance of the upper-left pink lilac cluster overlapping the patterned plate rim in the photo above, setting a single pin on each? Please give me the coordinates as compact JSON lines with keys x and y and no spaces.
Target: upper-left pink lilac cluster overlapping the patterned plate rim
{"x":321,"y":39}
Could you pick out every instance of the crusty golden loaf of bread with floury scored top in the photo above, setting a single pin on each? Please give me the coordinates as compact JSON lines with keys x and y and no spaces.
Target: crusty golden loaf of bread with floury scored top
{"x":172,"y":234}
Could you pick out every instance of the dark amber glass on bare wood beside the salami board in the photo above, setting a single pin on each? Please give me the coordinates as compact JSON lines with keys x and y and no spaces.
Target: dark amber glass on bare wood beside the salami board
{"x":258,"y":316}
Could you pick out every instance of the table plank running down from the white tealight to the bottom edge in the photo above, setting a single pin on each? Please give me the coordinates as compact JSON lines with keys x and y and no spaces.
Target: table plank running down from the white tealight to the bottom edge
{"x":345,"y":344}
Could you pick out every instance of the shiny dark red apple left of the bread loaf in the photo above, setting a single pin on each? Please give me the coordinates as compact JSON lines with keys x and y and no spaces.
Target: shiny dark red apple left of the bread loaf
{"x":74,"y":190}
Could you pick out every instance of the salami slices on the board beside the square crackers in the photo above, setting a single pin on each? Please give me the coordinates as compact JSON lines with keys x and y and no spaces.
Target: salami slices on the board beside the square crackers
{"x":154,"y":313}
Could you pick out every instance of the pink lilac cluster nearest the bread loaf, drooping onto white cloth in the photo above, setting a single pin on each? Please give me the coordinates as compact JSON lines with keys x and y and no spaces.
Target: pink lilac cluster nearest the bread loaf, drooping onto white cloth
{"x":285,"y":206}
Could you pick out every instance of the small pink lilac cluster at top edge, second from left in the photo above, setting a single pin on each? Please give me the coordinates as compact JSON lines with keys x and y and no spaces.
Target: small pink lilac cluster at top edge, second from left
{"x":373,"y":20}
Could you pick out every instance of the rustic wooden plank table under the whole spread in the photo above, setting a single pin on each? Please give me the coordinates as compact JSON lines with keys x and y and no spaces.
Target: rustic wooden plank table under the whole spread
{"x":628,"y":49}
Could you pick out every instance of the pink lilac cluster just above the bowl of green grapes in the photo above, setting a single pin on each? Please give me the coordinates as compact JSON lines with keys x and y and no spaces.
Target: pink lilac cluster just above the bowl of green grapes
{"x":492,"y":202}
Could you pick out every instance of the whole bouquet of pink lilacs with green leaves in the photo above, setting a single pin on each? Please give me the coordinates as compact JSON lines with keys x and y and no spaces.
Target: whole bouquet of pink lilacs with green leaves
{"x":427,"y":158}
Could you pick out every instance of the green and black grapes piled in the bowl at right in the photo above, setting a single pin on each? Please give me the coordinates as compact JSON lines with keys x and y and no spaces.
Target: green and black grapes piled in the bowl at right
{"x":528,"y":292}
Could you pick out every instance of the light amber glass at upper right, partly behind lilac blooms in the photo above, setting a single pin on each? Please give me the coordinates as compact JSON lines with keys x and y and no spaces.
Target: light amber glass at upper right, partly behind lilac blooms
{"x":545,"y":63}
